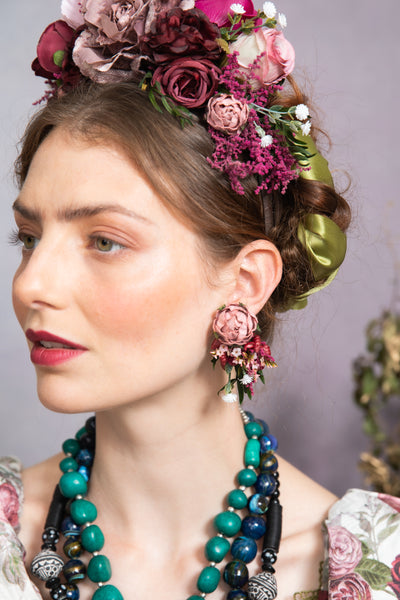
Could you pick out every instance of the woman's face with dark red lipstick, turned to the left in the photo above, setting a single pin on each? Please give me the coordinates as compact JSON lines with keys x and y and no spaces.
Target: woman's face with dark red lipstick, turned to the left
{"x":112,"y":291}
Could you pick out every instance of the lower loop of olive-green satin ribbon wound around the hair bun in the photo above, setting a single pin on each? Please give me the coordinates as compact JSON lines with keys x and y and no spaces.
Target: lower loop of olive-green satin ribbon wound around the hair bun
{"x":326,"y":246}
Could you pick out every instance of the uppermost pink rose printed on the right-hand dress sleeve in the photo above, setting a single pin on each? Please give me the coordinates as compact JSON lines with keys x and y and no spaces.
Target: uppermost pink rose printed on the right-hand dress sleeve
{"x":345,"y":551}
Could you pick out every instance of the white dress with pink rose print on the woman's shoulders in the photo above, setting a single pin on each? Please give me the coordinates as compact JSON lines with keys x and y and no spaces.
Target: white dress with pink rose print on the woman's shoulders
{"x":362,"y":542}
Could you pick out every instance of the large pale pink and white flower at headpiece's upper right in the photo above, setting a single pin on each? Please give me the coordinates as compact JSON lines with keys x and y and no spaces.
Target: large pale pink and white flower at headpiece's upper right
{"x":278,"y":54}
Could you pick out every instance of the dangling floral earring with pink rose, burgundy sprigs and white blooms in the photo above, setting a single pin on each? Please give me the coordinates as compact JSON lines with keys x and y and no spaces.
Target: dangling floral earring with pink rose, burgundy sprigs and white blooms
{"x":240,"y":350}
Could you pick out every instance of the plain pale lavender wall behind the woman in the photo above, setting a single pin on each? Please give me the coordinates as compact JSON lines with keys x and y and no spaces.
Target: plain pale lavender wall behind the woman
{"x":349,"y":56}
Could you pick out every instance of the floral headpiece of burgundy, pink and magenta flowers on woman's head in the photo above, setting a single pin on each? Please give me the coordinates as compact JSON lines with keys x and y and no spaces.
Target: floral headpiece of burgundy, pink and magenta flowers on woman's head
{"x":223,"y":62}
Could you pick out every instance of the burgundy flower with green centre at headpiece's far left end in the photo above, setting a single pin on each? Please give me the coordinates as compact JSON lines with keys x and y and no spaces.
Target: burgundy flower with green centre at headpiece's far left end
{"x":54,"y":54}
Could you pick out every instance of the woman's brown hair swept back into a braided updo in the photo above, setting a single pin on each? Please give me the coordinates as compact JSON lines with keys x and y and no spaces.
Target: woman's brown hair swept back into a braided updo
{"x":174,"y":162}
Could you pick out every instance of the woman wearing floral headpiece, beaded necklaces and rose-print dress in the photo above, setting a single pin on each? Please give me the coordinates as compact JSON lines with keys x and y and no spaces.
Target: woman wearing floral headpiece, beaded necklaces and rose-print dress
{"x":160,"y":209}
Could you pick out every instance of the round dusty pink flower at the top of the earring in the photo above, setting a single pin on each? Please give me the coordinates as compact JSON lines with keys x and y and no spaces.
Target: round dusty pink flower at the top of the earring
{"x":234,"y":324}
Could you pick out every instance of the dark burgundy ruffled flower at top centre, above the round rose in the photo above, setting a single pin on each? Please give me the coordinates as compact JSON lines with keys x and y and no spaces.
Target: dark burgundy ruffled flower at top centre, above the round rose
{"x":178,"y":33}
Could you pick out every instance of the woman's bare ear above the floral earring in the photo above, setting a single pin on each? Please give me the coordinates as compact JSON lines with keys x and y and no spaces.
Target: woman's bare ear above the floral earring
{"x":257,"y":271}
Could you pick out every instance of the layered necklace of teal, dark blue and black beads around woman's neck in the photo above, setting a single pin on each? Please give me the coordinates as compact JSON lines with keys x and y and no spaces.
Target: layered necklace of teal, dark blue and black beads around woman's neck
{"x":74,"y":516}
